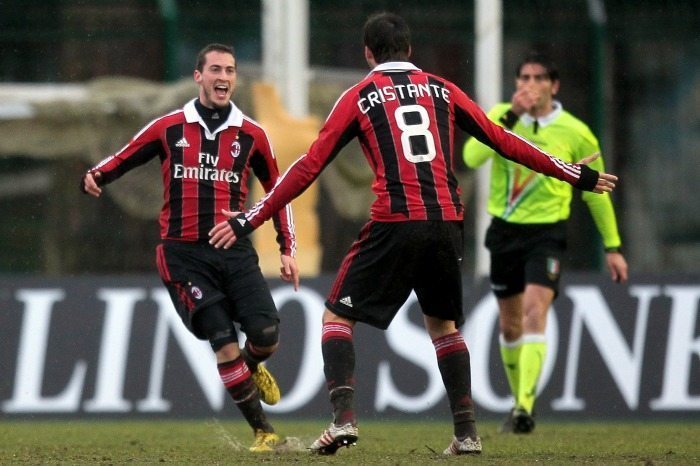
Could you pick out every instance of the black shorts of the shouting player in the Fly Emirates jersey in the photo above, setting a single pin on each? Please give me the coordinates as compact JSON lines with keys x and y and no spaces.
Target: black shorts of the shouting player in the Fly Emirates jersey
{"x":198,"y":275}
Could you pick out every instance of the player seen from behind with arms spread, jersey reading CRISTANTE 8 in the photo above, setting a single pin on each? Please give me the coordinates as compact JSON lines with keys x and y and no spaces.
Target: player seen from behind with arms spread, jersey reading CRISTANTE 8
{"x":405,"y":120}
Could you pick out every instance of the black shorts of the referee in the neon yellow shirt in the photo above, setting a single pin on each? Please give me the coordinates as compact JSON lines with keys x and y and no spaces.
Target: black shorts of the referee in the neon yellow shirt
{"x":524,"y":253}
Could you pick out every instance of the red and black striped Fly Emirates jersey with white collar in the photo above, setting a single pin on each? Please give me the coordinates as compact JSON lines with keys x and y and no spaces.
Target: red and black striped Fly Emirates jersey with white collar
{"x":203,"y":171}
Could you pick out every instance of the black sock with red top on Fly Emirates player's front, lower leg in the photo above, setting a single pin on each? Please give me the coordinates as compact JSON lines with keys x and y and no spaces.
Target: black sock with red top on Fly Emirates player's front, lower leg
{"x":236,"y":378}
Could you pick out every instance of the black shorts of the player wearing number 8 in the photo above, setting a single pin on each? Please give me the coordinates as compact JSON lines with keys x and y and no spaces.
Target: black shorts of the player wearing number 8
{"x":389,"y":260}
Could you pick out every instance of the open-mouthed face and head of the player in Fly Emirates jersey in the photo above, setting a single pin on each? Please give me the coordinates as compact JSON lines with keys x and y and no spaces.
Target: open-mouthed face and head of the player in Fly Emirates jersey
{"x":217,"y":79}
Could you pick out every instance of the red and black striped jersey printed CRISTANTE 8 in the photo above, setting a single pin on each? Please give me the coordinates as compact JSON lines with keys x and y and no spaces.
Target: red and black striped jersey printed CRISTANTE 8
{"x":405,"y":121}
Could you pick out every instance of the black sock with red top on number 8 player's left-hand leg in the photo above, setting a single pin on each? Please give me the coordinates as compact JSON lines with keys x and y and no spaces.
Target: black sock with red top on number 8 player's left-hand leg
{"x":339,"y":367}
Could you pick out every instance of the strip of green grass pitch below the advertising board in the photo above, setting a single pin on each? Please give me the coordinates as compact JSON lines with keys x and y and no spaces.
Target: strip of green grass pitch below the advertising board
{"x":387,"y":442}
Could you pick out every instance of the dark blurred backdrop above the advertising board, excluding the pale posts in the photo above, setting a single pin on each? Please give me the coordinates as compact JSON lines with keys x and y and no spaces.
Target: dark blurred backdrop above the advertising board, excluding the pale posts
{"x":101,"y":69}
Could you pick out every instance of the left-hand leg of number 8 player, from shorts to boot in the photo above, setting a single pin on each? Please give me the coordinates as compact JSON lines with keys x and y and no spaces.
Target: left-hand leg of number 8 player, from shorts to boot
{"x":370,"y":287}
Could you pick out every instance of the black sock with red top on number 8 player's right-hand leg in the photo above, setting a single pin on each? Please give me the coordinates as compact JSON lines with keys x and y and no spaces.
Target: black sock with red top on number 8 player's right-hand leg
{"x":453,"y":361}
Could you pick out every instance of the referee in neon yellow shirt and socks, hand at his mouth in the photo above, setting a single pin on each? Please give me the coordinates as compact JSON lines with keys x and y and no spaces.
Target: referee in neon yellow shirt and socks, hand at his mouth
{"x":527,"y":235}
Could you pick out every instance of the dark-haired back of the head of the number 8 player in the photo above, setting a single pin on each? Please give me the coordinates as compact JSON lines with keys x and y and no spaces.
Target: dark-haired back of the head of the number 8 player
{"x":388,"y":37}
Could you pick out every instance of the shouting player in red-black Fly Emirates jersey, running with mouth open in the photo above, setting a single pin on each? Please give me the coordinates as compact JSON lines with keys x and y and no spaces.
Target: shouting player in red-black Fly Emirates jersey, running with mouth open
{"x":208,"y":150}
